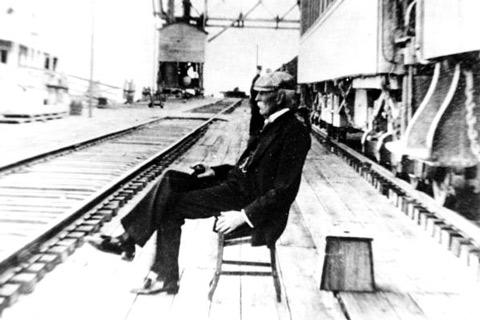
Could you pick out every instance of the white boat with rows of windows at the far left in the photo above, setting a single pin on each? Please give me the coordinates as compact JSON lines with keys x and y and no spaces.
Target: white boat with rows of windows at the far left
{"x":30,"y":81}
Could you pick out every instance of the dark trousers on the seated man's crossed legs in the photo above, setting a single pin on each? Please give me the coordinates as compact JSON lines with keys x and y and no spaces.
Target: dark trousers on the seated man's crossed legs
{"x":176,"y":197}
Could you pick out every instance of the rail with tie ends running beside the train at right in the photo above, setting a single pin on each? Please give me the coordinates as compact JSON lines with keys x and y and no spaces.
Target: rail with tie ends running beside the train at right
{"x":451,"y":230}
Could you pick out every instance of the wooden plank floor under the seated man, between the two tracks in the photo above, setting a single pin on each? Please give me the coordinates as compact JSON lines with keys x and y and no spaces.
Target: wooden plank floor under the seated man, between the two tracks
{"x":417,"y":279}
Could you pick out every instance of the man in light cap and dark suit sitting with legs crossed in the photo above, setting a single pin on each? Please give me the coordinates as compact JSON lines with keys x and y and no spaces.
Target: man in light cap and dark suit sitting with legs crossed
{"x":255,"y":194}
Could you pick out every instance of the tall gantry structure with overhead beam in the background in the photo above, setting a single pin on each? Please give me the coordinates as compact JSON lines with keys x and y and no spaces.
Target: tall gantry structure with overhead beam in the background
{"x":182,"y":40}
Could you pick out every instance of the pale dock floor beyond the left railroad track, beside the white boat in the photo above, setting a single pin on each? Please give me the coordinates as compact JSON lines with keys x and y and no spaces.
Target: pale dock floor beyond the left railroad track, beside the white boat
{"x":30,"y":139}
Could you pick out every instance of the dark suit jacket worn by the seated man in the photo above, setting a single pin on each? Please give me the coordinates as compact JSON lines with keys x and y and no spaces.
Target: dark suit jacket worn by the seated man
{"x":272,"y":179}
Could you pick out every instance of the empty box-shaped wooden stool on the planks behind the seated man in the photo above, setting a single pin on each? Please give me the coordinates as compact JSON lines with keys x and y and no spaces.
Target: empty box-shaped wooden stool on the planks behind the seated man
{"x":348,"y":264}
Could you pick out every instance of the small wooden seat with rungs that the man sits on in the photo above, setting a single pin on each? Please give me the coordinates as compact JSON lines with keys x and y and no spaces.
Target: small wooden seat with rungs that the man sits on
{"x":236,"y":239}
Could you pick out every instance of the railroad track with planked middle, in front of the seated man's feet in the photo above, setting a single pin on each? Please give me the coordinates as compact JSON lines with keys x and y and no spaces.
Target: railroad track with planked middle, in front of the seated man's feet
{"x":50,"y":202}
